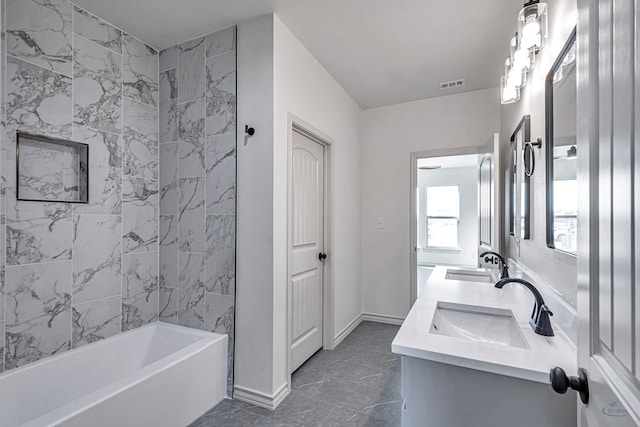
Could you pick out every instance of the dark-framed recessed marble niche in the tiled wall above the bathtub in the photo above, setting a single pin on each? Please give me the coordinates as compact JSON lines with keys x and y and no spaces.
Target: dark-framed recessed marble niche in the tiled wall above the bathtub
{"x":51,"y":169}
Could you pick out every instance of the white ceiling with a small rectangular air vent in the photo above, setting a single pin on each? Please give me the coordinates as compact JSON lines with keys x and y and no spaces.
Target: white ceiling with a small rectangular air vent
{"x":382,"y":53}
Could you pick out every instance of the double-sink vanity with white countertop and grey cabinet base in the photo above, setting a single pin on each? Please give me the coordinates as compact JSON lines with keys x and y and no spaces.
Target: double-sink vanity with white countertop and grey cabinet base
{"x":469,"y":356}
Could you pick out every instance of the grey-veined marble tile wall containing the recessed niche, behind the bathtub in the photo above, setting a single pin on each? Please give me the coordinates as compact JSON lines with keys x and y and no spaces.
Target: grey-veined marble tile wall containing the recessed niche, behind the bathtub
{"x":77,"y":273}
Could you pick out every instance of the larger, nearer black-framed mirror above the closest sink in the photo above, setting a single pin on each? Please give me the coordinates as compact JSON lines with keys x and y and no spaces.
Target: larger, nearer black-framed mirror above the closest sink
{"x":561,"y":109}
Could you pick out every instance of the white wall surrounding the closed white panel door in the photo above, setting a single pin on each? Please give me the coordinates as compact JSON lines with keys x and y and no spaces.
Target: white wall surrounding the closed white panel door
{"x":305,"y":89}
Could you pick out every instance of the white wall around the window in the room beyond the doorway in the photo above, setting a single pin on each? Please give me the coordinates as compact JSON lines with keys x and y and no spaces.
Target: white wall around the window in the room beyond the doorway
{"x":466,"y":178}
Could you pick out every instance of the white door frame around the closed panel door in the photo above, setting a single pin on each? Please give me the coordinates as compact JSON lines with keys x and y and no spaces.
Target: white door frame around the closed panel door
{"x":296,"y":124}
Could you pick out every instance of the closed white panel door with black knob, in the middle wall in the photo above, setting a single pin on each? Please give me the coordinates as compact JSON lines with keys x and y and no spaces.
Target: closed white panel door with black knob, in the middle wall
{"x":306,"y":227}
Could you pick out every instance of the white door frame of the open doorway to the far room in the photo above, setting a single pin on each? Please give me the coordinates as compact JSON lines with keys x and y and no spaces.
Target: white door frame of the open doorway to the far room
{"x":413,"y":208}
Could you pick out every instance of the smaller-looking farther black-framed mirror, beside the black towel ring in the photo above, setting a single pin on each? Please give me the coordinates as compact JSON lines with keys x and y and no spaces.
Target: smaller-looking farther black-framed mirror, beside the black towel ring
{"x":519,"y":195}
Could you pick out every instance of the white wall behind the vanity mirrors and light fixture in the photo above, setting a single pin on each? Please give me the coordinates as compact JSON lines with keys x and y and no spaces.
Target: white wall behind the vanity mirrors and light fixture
{"x":557,"y":269}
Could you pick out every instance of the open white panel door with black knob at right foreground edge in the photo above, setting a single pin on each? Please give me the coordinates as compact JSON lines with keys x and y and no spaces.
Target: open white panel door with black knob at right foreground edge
{"x":609,"y":210}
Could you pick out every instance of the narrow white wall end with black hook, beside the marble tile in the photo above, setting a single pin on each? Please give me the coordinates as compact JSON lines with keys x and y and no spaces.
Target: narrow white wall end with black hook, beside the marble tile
{"x":254,"y":262}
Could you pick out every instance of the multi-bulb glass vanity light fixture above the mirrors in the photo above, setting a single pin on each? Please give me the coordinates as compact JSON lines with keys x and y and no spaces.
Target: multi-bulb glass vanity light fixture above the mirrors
{"x":523,"y":47}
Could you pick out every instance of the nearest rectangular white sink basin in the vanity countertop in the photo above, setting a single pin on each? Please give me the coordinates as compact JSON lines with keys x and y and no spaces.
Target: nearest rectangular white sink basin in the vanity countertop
{"x":479,"y":324}
